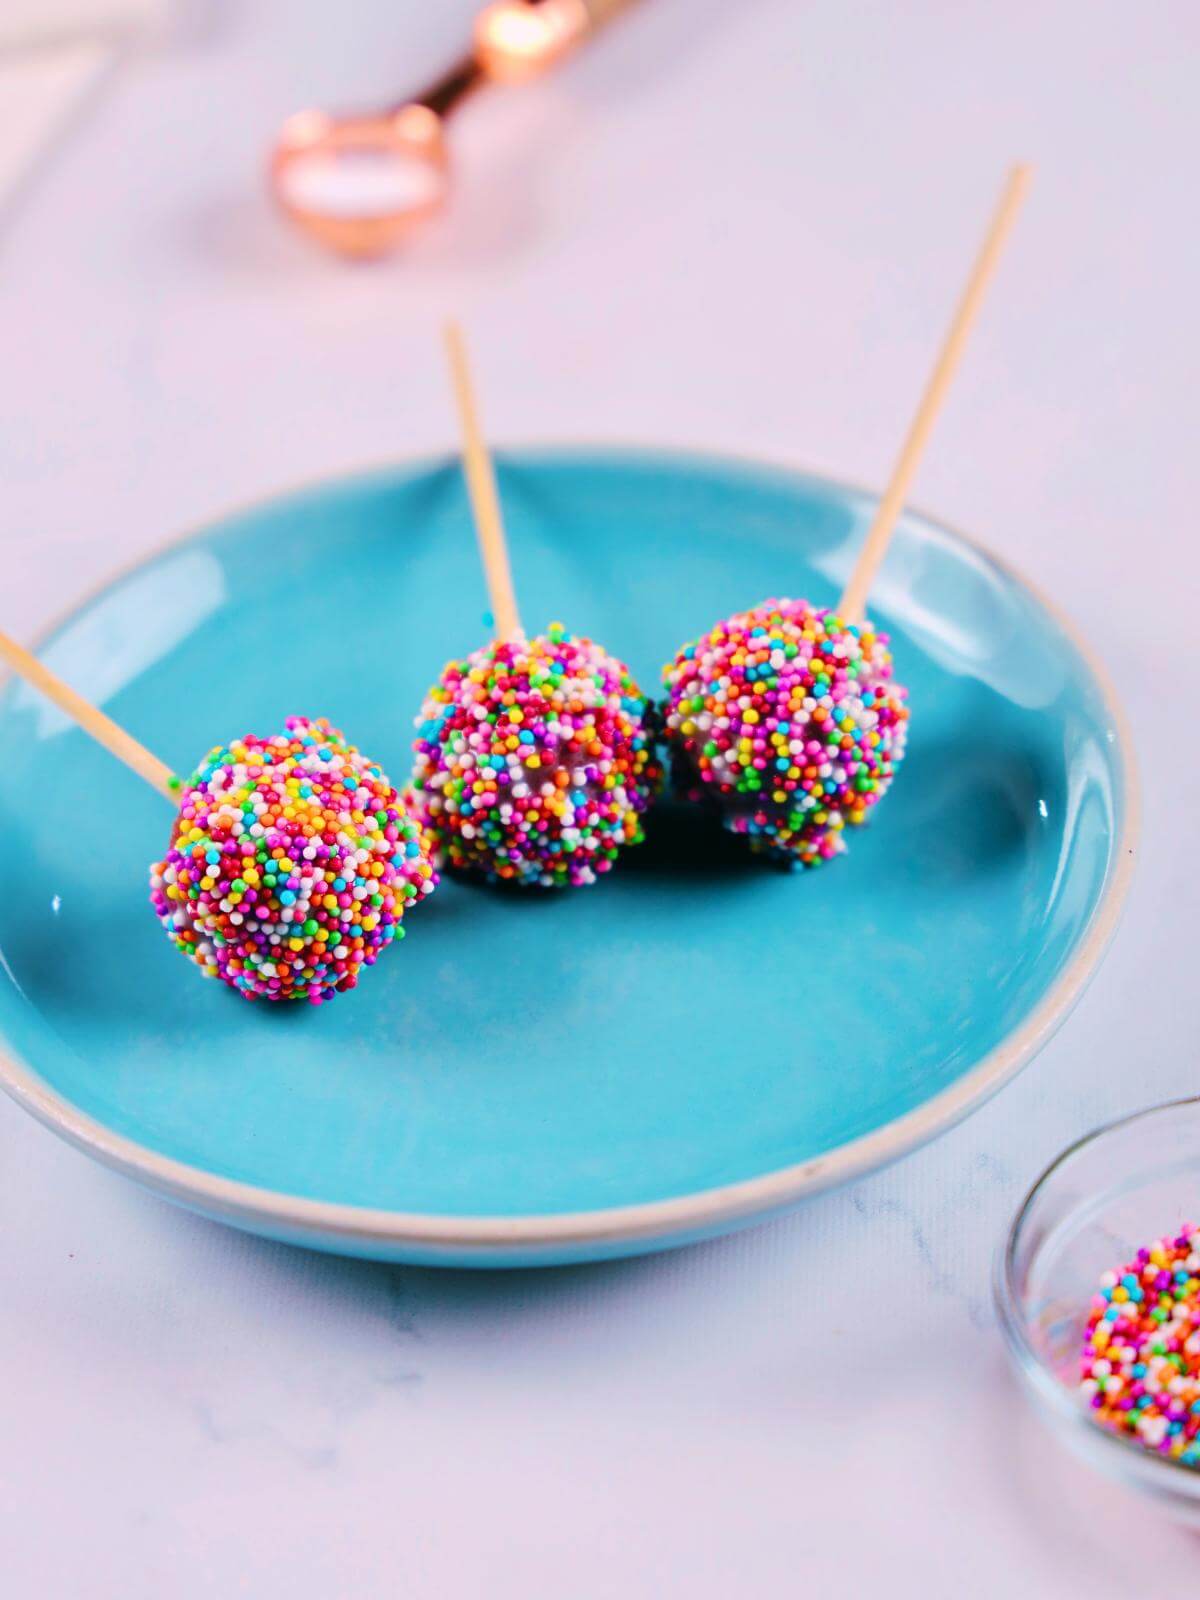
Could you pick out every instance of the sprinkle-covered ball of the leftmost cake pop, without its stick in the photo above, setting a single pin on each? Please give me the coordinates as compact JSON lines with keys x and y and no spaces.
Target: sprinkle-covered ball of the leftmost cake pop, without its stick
{"x":292,"y":865}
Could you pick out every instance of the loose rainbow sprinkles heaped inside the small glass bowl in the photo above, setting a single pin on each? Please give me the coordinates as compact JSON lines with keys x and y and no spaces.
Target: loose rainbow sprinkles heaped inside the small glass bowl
{"x":1142,"y":1356}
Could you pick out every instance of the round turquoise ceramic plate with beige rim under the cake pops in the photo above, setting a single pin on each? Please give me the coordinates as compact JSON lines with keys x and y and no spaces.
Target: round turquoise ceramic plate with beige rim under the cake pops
{"x":692,"y":1044}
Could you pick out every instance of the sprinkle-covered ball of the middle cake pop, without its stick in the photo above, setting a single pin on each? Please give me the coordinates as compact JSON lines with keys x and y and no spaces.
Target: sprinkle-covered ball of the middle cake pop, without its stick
{"x":535,"y":762}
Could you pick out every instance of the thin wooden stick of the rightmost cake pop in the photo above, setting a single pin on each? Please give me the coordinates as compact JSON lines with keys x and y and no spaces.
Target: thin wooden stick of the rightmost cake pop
{"x":855,"y":598}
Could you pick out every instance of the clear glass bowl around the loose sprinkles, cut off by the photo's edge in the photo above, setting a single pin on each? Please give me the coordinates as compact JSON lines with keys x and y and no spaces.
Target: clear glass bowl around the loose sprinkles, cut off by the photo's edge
{"x":1095,"y":1207}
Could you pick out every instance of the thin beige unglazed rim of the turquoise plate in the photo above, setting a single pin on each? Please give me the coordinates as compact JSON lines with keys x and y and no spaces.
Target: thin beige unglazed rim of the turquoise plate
{"x":702,"y":1210}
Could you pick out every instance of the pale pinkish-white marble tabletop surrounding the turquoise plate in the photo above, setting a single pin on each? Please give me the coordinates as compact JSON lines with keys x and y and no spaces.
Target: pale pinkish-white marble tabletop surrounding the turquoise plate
{"x":734,"y":226}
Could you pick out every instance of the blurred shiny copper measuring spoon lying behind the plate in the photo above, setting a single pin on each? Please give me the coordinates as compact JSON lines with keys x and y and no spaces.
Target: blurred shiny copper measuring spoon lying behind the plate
{"x":361,"y":185}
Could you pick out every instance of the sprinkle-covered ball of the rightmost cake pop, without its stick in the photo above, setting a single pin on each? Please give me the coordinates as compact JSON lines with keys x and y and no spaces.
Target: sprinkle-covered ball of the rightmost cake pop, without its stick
{"x":790,"y":719}
